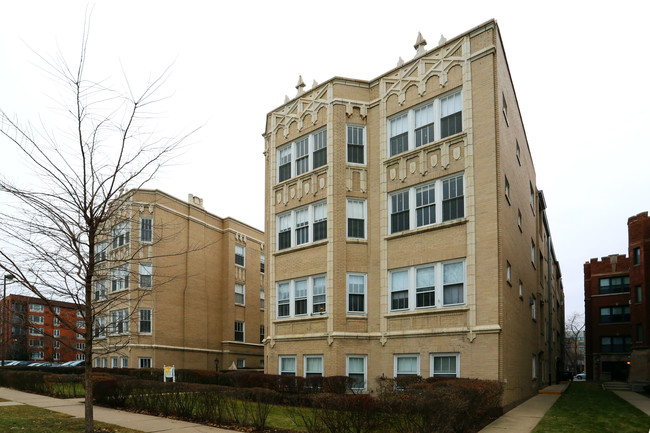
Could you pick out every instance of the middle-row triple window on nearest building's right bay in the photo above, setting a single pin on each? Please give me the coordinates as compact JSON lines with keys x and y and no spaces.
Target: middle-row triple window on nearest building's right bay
{"x":427,"y":209}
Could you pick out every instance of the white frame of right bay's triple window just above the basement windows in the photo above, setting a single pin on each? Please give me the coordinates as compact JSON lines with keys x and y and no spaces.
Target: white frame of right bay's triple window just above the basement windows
{"x":439,"y":268}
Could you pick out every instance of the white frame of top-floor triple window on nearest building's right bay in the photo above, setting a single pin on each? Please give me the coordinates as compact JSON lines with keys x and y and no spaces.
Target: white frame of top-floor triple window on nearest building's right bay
{"x":411,"y":124}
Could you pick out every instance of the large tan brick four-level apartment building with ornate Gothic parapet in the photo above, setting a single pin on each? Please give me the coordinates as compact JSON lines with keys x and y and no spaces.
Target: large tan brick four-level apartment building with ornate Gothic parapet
{"x":405,"y":230}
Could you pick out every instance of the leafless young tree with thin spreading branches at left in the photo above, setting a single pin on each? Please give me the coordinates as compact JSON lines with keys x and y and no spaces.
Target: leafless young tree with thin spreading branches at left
{"x":58,"y":229}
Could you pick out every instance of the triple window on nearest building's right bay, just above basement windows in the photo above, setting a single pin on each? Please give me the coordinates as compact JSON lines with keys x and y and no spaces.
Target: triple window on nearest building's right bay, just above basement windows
{"x":415,"y":287}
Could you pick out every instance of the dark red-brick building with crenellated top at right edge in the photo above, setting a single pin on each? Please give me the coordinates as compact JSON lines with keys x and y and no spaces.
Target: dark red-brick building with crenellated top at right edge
{"x":617,"y":309}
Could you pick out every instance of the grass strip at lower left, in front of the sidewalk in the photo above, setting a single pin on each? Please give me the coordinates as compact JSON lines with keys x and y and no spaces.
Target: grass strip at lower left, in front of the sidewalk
{"x":30,"y":419}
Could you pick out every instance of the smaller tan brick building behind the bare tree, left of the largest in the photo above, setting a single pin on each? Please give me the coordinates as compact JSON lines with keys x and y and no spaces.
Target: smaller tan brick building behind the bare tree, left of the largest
{"x":177,"y":285}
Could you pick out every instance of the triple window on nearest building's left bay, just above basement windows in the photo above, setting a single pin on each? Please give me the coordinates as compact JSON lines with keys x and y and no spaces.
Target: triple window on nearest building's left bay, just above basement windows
{"x":300,"y":296}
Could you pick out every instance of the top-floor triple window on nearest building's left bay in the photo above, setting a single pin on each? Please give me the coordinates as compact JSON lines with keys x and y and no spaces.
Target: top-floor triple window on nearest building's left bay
{"x":294,"y":160}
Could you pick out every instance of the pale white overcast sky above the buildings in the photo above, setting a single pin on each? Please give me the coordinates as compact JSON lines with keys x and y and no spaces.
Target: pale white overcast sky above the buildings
{"x":579,"y":70}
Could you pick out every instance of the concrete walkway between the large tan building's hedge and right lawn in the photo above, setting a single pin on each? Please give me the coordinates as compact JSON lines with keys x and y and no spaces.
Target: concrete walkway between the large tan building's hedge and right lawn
{"x":527,"y":415}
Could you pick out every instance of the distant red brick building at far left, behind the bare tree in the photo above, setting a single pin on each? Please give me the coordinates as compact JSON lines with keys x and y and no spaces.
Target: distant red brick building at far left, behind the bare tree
{"x":32,"y":330}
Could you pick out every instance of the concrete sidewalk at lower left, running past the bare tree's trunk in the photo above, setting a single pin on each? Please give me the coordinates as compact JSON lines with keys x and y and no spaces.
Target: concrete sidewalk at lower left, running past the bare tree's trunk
{"x":75,"y":407}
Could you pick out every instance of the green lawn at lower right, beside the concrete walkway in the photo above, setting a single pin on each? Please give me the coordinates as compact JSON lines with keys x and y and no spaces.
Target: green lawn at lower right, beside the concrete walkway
{"x":586,"y":408}
